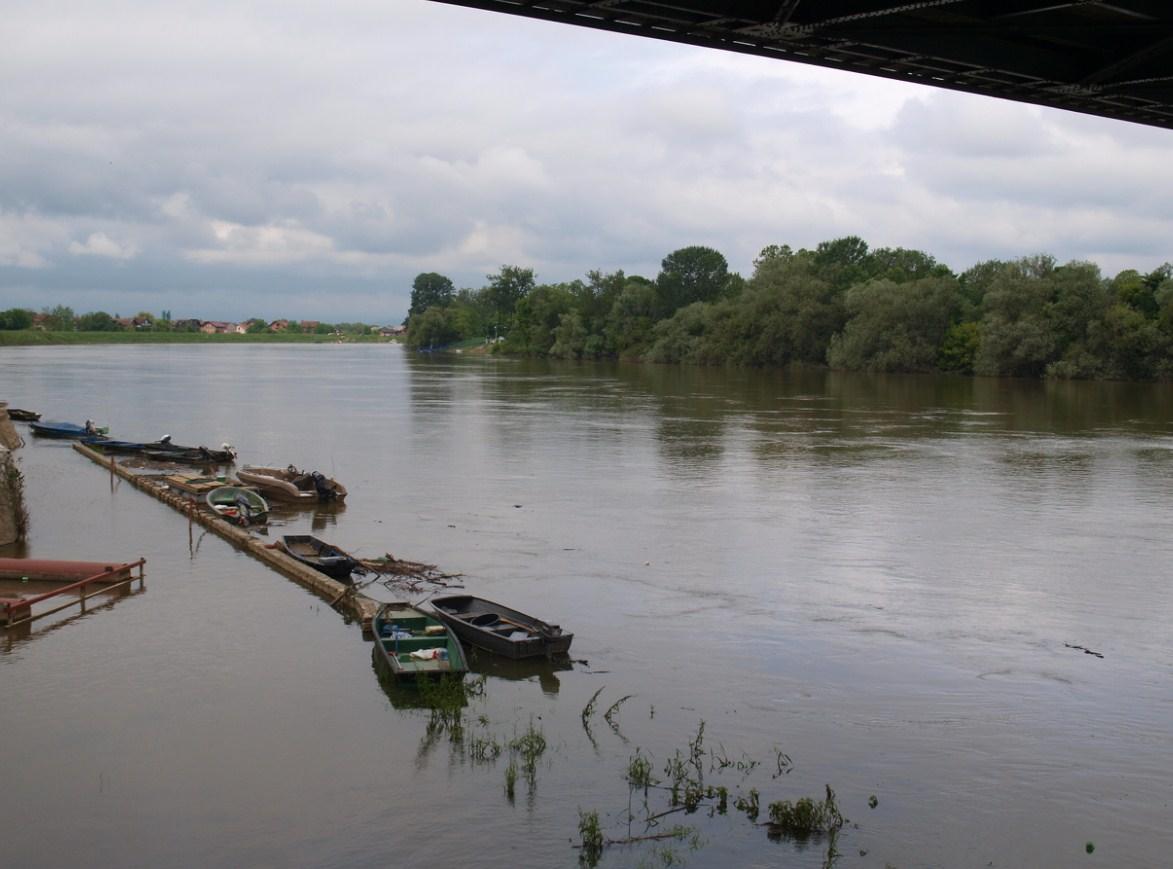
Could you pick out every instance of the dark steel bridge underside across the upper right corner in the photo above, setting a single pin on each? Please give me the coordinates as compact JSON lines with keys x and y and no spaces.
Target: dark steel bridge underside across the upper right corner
{"x":1113,"y":59}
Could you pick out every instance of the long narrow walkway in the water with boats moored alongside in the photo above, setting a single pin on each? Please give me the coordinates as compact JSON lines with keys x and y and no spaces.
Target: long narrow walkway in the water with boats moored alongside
{"x":340,"y":596}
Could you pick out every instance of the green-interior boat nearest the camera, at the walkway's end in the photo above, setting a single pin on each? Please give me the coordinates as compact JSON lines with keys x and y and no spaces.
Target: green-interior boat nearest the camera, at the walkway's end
{"x":416,"y":644}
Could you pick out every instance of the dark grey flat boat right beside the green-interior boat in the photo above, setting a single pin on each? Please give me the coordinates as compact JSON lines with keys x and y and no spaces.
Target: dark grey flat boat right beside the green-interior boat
{"x":500,"y":629}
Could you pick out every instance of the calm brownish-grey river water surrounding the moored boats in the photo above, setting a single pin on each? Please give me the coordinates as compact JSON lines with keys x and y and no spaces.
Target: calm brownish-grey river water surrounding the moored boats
{"x":871,"y":583}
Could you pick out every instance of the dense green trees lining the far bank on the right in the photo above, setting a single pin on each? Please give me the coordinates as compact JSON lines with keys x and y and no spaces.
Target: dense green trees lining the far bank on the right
{"x":842,"y":304}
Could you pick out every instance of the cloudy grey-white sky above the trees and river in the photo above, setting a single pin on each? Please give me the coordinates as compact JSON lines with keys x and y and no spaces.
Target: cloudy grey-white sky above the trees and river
{"x":307,"y":160}
